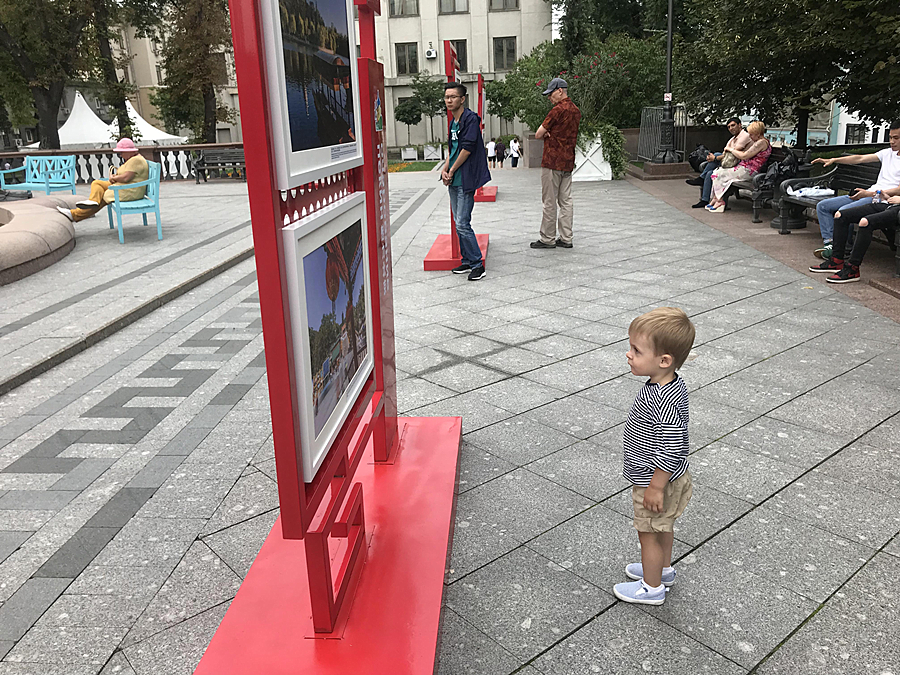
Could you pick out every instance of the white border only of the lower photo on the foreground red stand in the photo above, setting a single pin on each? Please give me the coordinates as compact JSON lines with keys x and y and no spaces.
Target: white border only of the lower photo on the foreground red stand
{"x":301,"y":238}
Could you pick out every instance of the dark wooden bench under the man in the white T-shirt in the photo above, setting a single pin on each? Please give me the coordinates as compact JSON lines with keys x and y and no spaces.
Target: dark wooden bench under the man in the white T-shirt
{"x":842,"y":179}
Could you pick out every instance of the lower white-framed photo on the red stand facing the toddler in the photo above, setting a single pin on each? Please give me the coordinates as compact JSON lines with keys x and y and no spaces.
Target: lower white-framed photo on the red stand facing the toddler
{"x":327,"y":270}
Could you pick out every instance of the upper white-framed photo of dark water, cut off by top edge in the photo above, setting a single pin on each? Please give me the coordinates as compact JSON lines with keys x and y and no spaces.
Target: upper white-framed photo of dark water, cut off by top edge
{"x":311,"y":70}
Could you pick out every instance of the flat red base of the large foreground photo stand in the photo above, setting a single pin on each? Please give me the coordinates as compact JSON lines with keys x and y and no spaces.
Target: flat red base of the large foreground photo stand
{"x":392,"y":623}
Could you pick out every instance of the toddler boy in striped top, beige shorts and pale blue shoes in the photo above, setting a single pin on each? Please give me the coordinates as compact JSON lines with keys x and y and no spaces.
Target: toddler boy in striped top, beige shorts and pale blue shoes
{"x":656,"y":448}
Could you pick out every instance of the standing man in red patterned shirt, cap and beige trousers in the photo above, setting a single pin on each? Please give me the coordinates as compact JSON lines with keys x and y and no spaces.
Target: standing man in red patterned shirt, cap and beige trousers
{"x":559,"y":131}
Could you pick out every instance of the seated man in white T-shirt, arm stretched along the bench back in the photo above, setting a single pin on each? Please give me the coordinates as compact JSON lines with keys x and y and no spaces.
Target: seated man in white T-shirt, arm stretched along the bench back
{"x":888,"y":177}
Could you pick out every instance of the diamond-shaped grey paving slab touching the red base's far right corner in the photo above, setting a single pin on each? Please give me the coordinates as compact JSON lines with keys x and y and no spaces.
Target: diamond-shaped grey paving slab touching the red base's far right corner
{"x":519,"y":440}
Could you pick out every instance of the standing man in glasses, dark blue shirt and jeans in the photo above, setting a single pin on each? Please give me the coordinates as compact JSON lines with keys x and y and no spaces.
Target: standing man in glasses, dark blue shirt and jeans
{"x":466,"y":170}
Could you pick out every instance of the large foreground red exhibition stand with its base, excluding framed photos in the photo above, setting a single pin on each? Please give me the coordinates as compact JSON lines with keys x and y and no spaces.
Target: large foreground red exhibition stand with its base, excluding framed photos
{"x":350,"y":579}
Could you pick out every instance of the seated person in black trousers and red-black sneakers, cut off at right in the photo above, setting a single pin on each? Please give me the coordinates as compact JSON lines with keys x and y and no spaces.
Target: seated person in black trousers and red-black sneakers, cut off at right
{"x":877,"y":215}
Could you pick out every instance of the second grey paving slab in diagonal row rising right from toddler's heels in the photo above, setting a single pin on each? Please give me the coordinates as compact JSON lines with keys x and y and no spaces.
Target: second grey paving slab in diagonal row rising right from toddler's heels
{"x":811,"y":561}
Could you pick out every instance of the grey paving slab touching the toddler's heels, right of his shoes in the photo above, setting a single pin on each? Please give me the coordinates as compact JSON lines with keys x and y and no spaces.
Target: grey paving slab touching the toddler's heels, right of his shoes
{"x":731,"y":610}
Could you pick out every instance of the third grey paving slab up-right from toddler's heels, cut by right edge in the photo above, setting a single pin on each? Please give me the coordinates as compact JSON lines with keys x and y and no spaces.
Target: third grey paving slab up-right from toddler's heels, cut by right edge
{"x":848,"y":510}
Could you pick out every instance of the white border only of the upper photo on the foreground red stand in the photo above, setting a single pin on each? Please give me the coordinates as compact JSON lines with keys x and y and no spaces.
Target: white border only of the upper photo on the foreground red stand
{"x":294,"y":169}
